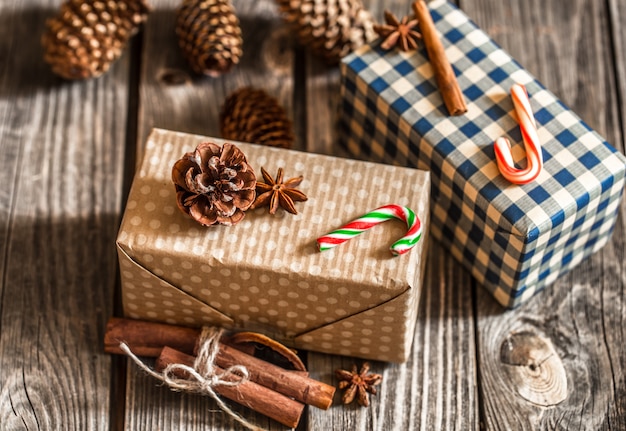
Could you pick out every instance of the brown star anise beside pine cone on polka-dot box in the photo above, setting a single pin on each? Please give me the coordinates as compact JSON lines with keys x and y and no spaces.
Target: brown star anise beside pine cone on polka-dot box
{"x":276,"y":192}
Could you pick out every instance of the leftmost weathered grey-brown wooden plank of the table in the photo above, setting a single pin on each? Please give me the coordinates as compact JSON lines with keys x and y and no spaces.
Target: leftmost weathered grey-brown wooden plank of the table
{"x":61,"y":157}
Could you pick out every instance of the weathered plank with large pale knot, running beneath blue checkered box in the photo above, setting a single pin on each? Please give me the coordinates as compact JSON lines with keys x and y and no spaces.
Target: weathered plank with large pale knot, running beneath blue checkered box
{"x":563,"y":342}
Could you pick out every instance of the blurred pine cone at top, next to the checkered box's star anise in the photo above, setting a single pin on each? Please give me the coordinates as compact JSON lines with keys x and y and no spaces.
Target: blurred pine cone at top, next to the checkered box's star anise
{"x":330,"y":28}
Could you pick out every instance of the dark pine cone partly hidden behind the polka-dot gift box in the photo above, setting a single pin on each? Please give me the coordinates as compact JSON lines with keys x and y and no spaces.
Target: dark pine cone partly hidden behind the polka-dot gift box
{"x":252,"y":115}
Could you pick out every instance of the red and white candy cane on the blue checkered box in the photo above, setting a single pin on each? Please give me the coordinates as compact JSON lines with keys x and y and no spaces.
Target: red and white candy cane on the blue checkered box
{"x":532,"y":145}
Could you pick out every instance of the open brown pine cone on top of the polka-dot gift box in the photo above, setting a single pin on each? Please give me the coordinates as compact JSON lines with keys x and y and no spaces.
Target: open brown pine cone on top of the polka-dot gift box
{"x":214,"y":184}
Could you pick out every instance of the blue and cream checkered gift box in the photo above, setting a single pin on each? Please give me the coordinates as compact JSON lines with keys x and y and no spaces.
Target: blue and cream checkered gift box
{"x":514,"y":239}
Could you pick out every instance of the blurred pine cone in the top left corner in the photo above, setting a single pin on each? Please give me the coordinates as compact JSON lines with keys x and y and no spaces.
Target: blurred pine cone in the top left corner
{"x":86,"y":37}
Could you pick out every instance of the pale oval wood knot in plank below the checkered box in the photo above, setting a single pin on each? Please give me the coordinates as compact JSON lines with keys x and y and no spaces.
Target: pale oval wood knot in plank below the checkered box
{"x":535,"y":369}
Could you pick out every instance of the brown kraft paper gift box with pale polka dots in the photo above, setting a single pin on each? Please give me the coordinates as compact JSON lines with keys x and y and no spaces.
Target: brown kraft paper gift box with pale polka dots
{"x":265,"y":273}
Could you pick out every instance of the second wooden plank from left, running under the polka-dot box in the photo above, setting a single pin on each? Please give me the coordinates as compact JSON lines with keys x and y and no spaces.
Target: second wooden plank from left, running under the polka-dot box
{"x":172,"y":97}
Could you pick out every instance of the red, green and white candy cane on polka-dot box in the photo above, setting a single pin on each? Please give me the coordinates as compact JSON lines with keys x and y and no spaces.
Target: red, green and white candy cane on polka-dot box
{"x":373,"y":218}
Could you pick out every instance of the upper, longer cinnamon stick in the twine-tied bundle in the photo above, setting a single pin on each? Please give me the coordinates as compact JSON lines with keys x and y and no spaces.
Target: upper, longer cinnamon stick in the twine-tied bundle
{"x":144,"y":338}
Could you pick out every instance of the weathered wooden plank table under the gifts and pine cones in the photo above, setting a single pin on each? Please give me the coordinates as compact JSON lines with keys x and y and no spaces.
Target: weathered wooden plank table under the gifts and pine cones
{"x":67,"y":156}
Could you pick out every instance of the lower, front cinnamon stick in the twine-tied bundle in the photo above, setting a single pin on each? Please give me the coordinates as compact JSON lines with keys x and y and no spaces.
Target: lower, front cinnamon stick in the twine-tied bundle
{"x":254,"y":396}
